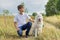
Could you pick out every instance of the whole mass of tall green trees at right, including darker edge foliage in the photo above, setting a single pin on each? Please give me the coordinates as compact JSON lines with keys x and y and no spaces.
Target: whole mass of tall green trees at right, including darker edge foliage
{"x":52,"y":7}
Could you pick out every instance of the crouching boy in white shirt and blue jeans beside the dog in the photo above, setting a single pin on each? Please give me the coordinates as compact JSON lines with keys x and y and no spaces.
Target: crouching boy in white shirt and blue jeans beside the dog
{"x":20,"y":21}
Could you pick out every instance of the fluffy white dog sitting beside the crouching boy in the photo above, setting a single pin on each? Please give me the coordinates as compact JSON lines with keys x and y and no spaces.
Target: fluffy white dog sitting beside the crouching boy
{"x":38,"y":25}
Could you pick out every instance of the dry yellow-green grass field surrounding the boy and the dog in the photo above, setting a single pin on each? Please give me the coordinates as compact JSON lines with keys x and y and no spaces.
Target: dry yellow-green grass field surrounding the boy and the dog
{"x":51,"y":30}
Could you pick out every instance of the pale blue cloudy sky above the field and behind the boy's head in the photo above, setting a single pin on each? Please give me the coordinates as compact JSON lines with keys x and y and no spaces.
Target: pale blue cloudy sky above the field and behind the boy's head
{"x":31,"y":5}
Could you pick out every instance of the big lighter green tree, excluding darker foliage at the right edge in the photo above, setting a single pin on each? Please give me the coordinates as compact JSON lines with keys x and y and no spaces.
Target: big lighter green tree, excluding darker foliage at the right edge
{"x":51,"y":7}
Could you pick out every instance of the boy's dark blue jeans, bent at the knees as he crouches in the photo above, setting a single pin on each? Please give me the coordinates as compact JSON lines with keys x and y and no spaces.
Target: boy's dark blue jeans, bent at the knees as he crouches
{"x":26,"y":27}
